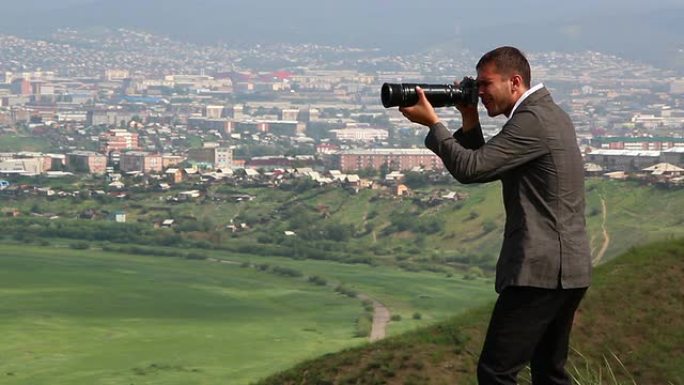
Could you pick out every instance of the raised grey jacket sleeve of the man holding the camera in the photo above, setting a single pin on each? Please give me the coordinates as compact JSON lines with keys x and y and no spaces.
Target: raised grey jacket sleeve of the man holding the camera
{"x":519,"y":142}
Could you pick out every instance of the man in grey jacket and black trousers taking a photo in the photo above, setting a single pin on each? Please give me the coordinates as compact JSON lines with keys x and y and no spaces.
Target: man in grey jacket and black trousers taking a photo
{"x":544,"y":267}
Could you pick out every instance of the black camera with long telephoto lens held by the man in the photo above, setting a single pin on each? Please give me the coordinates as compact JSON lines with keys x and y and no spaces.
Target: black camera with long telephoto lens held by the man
{"x":439,"y":95}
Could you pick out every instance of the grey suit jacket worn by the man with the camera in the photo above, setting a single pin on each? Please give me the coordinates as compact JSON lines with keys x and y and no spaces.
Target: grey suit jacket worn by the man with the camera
{"x":539,"y":164}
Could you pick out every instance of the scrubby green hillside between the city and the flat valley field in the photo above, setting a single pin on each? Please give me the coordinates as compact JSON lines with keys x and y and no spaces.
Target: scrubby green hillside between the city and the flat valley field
{"x":420,"y":232}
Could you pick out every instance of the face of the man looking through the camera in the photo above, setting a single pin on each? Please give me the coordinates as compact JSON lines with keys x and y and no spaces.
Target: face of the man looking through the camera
{"x":495,"y":90}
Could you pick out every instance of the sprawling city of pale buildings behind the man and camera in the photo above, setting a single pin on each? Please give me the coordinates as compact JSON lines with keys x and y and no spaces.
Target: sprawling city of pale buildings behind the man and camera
{"x":124,"y":103}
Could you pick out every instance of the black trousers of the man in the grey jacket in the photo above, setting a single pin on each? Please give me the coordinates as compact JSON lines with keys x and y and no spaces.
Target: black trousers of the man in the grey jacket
{"x":529,"y":325}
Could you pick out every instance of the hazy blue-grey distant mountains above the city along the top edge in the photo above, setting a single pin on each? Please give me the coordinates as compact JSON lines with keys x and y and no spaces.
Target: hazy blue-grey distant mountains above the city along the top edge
{"x":650,"y":32}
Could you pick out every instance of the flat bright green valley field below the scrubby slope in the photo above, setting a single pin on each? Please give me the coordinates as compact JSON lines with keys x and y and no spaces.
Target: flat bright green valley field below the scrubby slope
{"x":95,"y":317}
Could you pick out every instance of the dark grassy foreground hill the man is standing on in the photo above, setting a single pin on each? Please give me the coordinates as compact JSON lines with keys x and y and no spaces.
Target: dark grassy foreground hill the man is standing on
{"x":631,"y":324}
